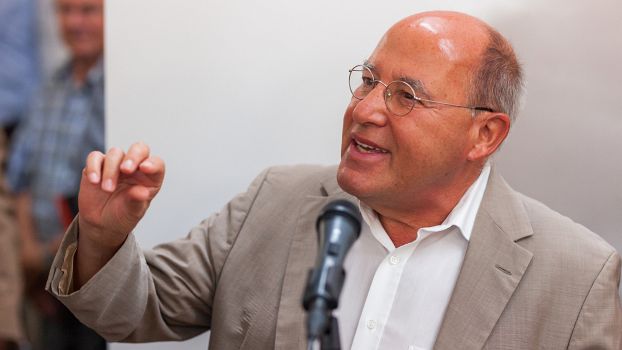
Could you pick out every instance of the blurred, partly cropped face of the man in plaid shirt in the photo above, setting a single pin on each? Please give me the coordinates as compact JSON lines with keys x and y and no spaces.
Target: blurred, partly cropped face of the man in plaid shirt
{"x":82,"y":27}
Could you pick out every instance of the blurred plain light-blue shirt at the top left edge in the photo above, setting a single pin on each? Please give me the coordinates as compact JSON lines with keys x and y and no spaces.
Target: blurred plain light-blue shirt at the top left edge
{"x":19,"y":58}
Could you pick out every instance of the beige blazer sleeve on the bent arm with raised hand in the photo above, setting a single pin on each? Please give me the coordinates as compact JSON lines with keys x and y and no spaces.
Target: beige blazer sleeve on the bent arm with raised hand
{"x":162,"y":294}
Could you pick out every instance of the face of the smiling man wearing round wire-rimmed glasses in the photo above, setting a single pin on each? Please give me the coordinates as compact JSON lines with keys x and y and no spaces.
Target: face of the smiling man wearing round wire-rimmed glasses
{"x":420,"y":155}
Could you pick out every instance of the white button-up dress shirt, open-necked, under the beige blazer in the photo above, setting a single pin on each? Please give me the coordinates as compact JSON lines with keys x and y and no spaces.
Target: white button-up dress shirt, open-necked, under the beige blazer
{"x":395,"y":298}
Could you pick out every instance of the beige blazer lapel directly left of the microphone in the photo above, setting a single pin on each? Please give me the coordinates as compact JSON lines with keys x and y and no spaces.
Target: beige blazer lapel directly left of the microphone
{"x":290,"y":328}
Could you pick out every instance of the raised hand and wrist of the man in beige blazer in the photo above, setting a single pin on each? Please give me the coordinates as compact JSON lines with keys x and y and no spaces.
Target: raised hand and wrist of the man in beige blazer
{"x":115,"y":192}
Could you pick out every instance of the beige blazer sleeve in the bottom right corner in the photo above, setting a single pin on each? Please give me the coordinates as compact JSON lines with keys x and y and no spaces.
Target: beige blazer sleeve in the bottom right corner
{"x":599,"y":325}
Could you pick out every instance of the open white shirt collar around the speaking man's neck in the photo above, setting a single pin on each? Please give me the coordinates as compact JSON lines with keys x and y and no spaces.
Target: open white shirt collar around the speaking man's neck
{"x":462,"y":215}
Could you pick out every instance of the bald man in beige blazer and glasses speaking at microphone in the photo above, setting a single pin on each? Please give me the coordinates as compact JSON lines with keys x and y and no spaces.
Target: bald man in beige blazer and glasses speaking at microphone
{"x":449,"y":257}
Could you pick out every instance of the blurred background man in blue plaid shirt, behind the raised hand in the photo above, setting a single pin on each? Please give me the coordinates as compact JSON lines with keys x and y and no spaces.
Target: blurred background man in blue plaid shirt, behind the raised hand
{"x":65,"y":121}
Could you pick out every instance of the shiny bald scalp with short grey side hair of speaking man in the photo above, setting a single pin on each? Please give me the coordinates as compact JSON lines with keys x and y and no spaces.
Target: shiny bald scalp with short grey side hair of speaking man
{"x":480,"y":57}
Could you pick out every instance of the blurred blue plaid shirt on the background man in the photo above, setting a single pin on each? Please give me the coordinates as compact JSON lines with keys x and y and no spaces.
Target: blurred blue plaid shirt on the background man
{"x":65,"y":122}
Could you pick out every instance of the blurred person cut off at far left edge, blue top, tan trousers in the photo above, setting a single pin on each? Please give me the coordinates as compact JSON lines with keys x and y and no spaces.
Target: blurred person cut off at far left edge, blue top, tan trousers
{"x":19,"y":76}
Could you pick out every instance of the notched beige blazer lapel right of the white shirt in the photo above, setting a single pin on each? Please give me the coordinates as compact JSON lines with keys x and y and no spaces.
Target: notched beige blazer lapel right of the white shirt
{"x":492,"y":269}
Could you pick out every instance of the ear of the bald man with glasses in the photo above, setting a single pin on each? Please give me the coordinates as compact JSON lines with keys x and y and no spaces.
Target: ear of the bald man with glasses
{"x":489,"y":131}
